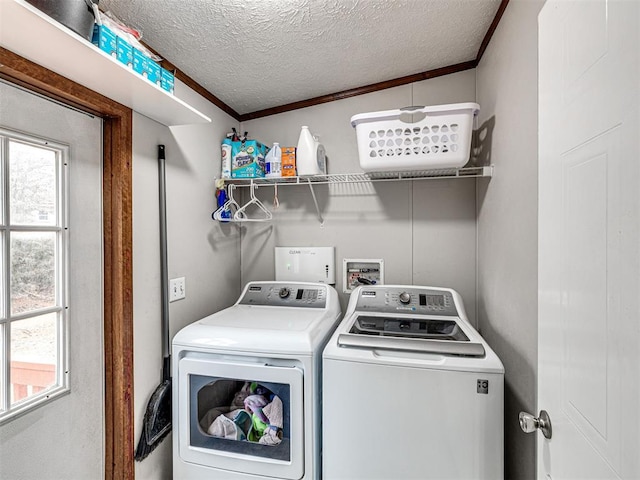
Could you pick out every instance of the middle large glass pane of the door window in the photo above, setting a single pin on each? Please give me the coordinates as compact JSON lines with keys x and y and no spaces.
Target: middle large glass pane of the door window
{"x":32,"y":270}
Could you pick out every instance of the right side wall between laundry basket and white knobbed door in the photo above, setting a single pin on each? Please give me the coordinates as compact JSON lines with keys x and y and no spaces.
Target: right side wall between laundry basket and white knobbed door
{"x":507,"y":86}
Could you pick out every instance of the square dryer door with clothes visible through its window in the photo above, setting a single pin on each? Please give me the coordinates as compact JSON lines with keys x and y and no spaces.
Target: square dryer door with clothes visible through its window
{"x":241,"y":415}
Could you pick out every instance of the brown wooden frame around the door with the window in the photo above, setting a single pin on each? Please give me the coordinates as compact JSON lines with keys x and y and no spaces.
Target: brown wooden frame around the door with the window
{"x":118,"y":259}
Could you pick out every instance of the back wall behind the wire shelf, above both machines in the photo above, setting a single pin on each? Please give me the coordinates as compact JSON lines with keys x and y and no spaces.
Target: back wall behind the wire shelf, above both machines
{"x":424,"y":230}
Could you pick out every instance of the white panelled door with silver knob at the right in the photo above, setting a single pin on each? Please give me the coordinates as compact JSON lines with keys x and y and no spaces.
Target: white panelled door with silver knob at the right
{"x":589,"y":241}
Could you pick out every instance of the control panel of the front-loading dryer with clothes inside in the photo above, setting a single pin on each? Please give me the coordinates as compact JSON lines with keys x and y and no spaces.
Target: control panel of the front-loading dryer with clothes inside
{"x":285,"y":294}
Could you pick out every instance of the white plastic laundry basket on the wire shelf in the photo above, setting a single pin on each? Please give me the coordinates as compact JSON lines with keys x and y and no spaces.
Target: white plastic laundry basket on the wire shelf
{"x":392,"y":141}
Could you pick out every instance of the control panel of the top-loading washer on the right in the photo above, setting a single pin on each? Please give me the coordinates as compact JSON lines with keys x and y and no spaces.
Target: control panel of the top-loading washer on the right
{"x":406,"y":299}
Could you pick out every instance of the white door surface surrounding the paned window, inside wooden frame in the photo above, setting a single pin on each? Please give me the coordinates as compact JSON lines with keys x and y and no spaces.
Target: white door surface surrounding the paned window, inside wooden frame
{"x":64,"y":438}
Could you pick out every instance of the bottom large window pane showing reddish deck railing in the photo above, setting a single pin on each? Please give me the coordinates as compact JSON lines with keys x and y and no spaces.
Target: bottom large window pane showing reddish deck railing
{"x":34,"y":356}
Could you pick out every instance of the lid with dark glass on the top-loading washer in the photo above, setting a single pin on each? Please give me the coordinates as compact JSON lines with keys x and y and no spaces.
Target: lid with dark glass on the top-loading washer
{"x":424,"y":334}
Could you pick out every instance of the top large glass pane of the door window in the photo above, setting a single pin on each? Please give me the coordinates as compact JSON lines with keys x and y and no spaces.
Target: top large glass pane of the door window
{"x":32,"y":185}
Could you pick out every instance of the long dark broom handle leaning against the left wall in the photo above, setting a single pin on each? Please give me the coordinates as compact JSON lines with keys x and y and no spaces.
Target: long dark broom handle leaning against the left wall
{"x":164,"y":274}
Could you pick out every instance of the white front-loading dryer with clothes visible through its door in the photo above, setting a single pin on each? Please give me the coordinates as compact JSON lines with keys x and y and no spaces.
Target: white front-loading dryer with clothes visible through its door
{"x":247,"y":385}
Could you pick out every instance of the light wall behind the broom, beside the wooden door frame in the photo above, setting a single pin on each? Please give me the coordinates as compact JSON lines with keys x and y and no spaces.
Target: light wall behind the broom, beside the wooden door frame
{"x":199,"y":249}
